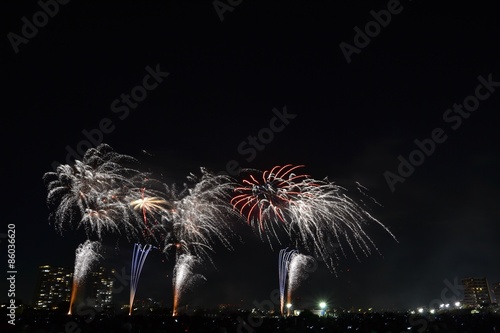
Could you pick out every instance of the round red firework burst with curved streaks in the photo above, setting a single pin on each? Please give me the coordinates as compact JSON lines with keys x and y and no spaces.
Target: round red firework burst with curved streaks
{"x":268,"y":195}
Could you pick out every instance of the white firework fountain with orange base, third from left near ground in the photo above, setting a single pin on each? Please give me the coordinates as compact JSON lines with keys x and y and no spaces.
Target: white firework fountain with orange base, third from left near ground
{"x":184,"y":278}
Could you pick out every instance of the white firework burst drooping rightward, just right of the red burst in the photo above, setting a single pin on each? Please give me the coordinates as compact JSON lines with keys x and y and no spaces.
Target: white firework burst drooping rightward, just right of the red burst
{"x":324,"y":215}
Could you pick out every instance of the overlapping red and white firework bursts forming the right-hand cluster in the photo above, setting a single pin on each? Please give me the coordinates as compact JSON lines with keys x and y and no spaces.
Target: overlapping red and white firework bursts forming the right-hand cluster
{"x":314,"y":213}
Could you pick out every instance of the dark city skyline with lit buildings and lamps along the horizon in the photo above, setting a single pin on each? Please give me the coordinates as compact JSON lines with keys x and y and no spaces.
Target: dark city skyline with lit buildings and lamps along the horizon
{"x":118,"y":287}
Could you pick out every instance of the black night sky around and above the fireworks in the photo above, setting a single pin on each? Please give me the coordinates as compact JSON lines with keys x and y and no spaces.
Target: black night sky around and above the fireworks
{"x":353,"y":120}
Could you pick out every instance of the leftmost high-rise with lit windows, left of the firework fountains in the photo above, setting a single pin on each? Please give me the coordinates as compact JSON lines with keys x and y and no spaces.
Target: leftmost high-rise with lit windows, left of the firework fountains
{"x":54,"y":287}
